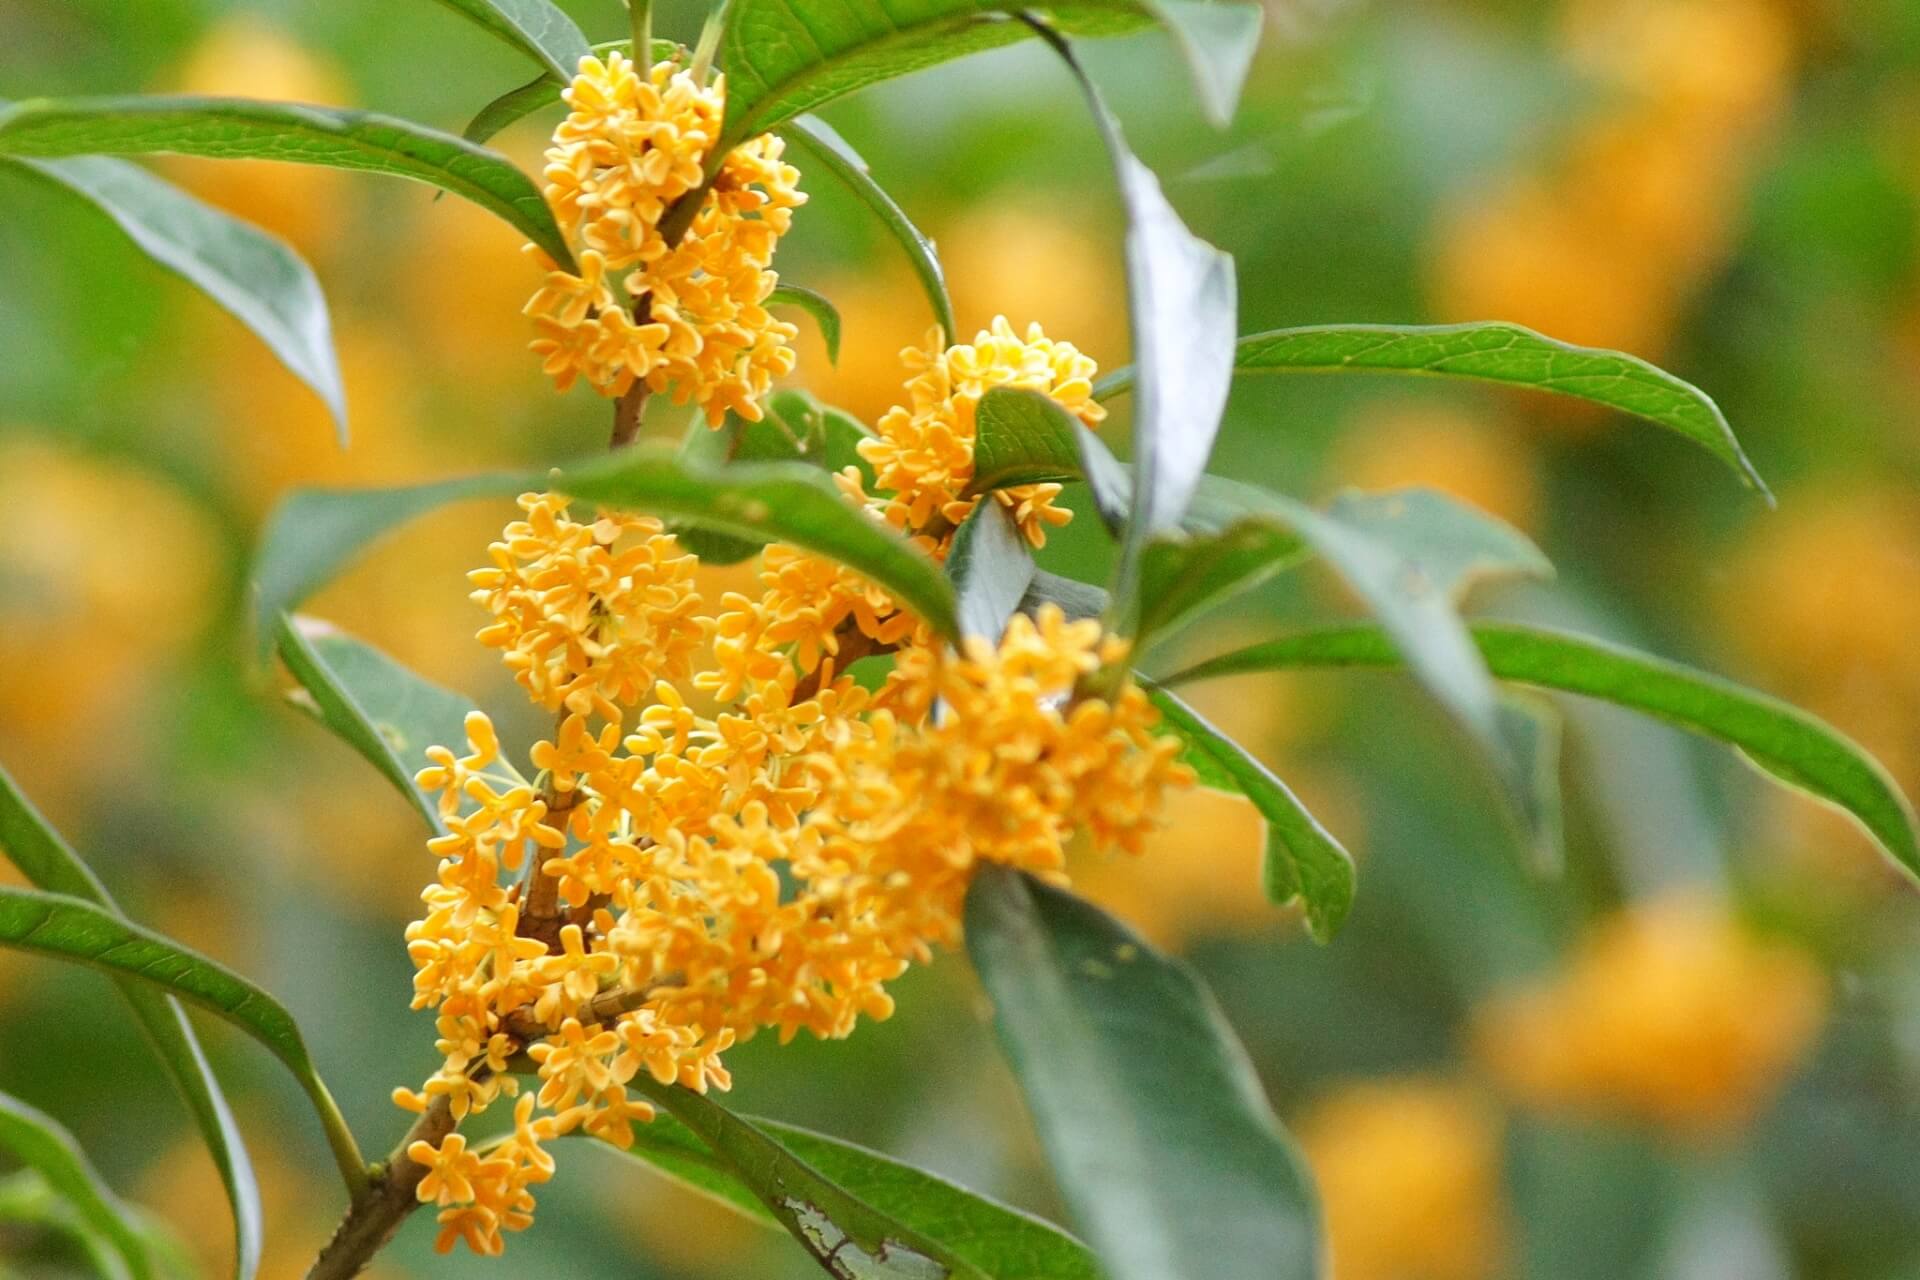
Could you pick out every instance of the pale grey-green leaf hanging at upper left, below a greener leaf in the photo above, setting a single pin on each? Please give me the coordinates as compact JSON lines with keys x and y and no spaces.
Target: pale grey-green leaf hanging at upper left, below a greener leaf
{"x":254,"y":277}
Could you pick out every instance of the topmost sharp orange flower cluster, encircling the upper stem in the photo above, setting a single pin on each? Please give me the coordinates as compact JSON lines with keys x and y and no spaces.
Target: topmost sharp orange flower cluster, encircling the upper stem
{"x":688,"y":318}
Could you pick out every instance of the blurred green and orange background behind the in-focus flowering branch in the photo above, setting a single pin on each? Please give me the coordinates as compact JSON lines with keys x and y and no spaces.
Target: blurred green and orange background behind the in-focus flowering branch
{"x":1696,"y":1055}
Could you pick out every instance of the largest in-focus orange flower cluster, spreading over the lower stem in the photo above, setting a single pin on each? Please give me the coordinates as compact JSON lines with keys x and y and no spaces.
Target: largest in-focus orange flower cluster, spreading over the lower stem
{"x":721,"y":847}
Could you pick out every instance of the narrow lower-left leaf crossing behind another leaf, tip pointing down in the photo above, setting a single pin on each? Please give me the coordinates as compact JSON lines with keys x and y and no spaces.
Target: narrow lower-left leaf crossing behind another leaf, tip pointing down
{"x":45,"y":859}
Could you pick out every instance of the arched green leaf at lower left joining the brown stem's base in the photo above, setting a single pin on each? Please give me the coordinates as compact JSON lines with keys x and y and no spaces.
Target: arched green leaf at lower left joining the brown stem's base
{"x":74,"y":930}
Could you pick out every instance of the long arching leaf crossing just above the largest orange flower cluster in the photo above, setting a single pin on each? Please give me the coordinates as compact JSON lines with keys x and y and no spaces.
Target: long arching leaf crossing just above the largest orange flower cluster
{"x":316,"y":533}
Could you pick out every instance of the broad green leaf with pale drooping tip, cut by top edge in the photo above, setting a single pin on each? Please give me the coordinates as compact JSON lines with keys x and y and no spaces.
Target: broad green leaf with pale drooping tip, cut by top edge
{"x":784,"y":59}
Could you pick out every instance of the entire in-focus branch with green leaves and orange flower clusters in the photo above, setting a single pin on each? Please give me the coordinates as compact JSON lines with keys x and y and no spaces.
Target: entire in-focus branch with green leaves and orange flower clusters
{"x":731,"y":832}
